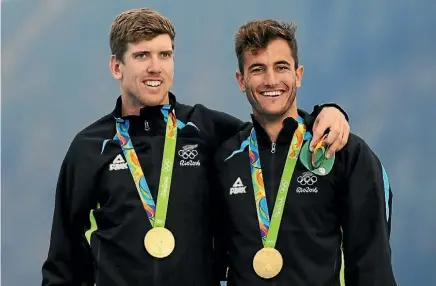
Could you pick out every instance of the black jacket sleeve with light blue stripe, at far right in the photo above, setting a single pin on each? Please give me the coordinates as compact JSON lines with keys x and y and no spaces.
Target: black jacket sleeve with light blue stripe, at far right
{"x":366,"y":220}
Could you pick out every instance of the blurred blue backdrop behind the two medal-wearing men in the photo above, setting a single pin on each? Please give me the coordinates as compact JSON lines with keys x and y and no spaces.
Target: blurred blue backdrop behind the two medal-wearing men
{"x":377,"y":59}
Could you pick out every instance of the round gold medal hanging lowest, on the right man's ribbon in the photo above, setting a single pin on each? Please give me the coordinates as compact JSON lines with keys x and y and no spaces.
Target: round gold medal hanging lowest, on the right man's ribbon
{"x":267,"y":262}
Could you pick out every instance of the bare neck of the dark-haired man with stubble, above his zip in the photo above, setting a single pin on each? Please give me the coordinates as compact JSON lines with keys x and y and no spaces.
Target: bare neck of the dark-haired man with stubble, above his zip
{"x":274,"y":124}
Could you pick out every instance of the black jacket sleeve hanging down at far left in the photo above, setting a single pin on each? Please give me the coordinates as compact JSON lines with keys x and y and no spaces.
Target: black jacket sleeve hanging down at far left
{"x":69,"y":261}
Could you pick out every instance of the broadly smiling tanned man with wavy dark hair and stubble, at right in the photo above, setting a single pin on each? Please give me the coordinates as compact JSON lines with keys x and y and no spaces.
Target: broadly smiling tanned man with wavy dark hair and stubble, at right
{"x":285,"y":211}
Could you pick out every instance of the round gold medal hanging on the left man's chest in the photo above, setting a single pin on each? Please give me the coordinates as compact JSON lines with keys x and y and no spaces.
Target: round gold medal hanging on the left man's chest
{"x":159,"y":242}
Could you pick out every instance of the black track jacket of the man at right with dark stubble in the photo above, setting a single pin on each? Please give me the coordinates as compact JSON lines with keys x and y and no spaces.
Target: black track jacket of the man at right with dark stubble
{"x":354,"y":198}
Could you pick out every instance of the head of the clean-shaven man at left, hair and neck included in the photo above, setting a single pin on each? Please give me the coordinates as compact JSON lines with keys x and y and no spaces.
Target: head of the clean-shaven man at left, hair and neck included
{"x":142,"y":45}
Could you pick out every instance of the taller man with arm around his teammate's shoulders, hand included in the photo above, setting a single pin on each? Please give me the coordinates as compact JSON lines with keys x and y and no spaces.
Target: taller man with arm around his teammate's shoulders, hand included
{"x":132,"y":201}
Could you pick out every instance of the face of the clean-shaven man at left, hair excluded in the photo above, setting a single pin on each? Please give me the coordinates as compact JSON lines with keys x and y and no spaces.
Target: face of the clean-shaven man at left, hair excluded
{"x":147,"y":71}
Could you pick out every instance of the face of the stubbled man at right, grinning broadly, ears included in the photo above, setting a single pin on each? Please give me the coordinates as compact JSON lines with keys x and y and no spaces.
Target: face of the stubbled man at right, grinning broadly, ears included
{"x":270,"y":80}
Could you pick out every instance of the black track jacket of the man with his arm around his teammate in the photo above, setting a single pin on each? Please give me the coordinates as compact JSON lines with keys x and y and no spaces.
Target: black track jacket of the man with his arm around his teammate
{"x":99,"y":222}
